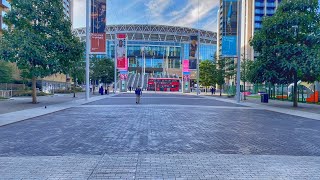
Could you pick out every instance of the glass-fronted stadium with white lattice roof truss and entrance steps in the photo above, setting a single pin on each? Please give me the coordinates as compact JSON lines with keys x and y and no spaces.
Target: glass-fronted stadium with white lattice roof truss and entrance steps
{"x":164,"y":49}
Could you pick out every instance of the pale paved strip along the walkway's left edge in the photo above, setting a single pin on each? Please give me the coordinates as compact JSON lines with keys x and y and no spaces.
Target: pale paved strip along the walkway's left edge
{"x":18,"y":116}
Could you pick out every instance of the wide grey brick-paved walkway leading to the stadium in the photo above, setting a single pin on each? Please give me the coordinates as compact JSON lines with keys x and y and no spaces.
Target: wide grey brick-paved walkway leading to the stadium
{"x":167,"y":136}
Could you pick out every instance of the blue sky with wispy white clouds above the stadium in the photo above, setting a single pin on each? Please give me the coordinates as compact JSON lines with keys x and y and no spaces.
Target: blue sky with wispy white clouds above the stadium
{"x":166,"y":12}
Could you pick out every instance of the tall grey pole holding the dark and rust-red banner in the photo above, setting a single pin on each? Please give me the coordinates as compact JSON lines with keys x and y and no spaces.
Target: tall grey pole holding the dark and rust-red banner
{"x":87,"y":49}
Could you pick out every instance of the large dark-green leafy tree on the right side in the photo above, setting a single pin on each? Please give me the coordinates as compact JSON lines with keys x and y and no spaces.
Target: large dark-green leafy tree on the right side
{"x":288,"y":44}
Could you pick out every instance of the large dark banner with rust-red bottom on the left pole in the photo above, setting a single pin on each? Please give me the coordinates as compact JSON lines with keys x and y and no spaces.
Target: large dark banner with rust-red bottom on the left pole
{"x":98,"y":26}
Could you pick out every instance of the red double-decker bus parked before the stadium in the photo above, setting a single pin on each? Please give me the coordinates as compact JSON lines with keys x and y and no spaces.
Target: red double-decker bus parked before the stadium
{"x":163,"y":84}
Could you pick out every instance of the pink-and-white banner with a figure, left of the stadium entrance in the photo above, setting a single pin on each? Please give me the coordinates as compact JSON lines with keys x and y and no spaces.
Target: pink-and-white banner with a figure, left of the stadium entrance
{"x":121,"y":52}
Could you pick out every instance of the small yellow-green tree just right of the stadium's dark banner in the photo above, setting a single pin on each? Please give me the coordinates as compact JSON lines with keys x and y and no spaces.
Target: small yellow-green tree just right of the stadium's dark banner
{"x":207,"y":73}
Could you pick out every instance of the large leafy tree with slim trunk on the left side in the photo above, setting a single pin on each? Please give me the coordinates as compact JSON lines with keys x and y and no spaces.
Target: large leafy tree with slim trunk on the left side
{"x":36,"y":37}
